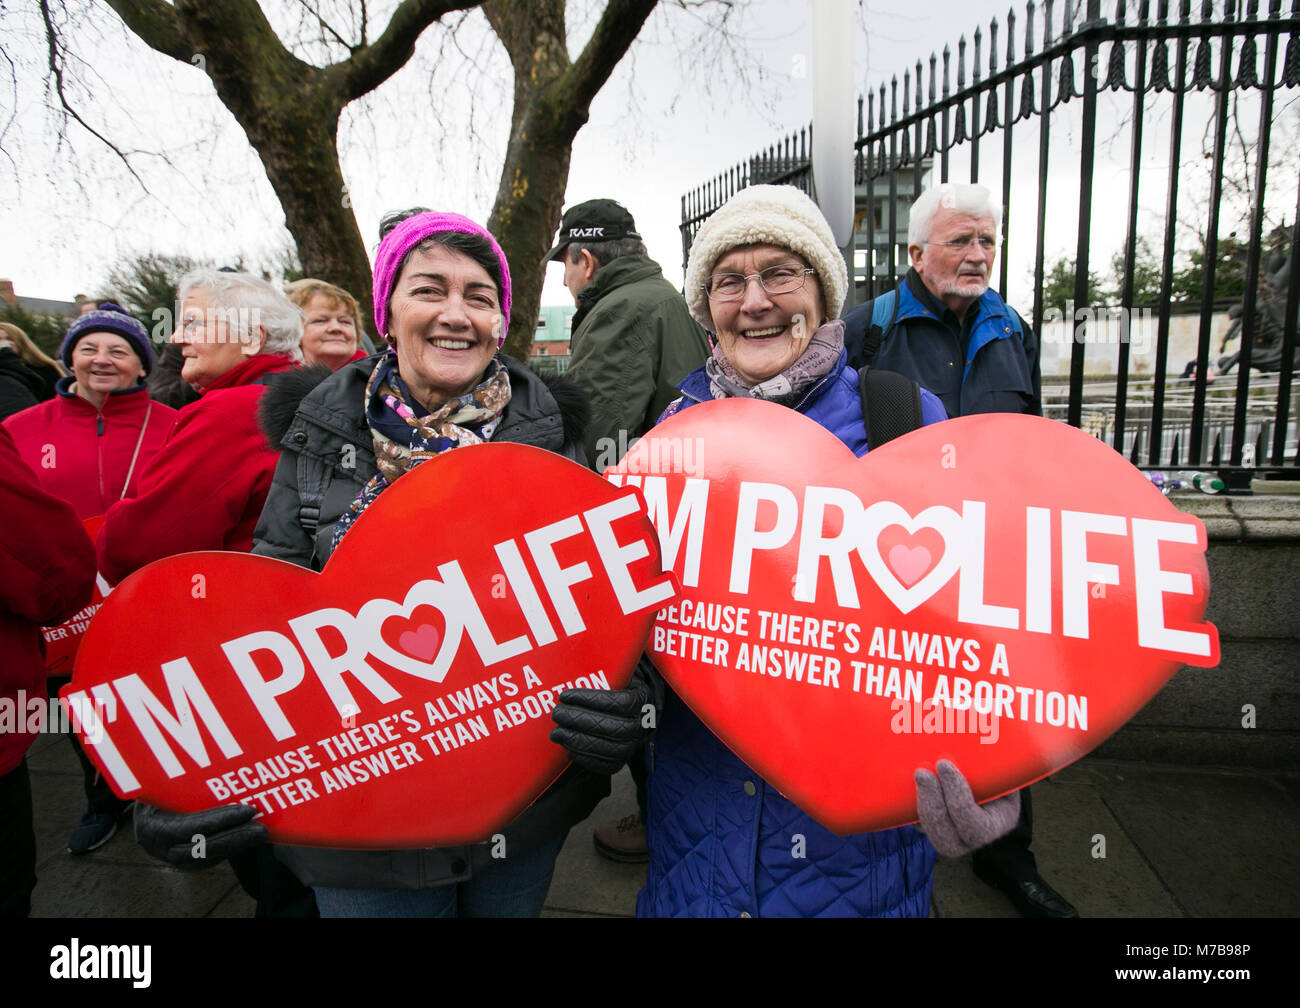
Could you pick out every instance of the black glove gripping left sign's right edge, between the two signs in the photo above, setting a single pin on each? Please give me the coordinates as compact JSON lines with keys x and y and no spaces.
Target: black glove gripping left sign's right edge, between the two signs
{"x":601,"y":729}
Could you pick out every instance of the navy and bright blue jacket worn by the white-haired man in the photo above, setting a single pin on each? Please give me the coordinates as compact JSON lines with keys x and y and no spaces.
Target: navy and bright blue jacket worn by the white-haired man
{"x":998,"y":373}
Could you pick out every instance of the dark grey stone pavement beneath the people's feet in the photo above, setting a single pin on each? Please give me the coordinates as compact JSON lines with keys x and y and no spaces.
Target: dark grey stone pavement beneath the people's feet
{"x":1177,"y":842}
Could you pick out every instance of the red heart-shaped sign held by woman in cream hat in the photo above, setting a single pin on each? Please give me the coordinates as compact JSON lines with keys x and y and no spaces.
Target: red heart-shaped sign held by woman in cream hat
{"x":999,"y":591}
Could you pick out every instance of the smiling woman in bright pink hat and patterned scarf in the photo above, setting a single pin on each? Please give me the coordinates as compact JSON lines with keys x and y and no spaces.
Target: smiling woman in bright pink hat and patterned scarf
{"x":441,"y":302}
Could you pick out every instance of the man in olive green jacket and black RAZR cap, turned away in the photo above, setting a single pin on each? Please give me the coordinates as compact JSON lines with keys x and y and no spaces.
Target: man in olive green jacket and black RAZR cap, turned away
{"x":634,"y":339}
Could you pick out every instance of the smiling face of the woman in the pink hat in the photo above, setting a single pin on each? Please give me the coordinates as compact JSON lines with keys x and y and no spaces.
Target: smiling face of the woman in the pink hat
{"x":445,"y":322}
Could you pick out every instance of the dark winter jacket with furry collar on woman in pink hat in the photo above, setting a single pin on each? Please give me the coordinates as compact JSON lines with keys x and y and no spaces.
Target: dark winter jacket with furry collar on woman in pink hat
{"x":328,"y":456}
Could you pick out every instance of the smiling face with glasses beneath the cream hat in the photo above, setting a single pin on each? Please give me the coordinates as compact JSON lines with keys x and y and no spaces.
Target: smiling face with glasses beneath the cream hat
{"x":765,"y":334}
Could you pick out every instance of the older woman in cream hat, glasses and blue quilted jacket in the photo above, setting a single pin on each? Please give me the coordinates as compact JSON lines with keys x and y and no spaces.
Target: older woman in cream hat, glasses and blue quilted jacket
{"x":766,"y":278}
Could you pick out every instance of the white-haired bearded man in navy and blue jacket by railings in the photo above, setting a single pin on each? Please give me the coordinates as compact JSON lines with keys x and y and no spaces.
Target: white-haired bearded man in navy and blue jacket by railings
{"x":946,"y":330}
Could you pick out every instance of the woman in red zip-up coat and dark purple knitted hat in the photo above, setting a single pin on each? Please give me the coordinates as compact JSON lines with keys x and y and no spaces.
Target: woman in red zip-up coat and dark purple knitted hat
{"x":89,"y":445}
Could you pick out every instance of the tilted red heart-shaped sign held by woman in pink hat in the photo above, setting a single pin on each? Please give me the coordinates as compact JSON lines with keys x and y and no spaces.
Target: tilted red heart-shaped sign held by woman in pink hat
{"x":402,"y":696}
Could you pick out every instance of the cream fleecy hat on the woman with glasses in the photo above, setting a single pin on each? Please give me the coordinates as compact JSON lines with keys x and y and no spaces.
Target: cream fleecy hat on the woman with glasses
{"x":768,"y":215}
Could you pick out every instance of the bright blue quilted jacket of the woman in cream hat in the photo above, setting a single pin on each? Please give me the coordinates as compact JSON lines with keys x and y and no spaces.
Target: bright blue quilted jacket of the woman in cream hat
{"x":723,"y":842}
